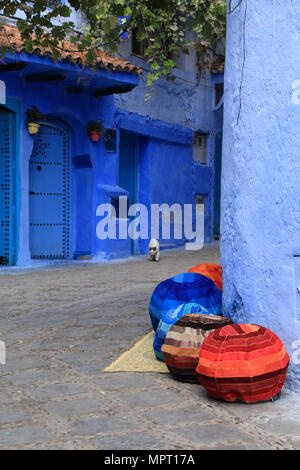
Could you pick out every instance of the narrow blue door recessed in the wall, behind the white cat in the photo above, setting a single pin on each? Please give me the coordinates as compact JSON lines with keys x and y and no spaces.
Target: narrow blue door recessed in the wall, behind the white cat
{"x":128,"y":172}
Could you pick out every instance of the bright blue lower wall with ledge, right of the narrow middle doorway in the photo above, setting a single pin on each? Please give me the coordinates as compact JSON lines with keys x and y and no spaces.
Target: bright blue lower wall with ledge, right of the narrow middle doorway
{"x":162,"y":148}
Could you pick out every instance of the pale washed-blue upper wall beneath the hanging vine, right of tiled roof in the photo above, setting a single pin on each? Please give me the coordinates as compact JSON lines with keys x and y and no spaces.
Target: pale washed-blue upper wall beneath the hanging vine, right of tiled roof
{"x":185,"y":101}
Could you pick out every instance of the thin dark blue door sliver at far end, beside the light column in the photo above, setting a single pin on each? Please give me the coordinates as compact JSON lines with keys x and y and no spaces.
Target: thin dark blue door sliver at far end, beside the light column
{"x":217,"y":185}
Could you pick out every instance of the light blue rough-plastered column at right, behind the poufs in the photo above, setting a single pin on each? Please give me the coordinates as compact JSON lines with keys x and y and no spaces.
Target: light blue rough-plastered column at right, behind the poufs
{"x":261,"y":170}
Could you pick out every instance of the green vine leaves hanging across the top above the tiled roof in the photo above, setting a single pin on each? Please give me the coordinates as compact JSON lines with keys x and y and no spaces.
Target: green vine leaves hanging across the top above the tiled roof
{"x":161,"y":24}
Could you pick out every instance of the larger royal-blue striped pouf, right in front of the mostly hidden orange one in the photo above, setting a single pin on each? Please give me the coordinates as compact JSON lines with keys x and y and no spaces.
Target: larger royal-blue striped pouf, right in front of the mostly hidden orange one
{"x":182,"y":289}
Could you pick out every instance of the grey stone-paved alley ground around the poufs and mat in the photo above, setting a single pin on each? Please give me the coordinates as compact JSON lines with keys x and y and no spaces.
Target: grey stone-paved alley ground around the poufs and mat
{"x":63,"y":325}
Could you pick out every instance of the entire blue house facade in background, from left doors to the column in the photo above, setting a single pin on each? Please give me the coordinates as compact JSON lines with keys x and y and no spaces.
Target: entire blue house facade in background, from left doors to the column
{"x":163,"y":129}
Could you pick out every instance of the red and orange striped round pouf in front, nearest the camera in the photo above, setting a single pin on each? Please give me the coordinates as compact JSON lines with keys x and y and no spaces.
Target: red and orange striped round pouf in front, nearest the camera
{"x":242,"y":362}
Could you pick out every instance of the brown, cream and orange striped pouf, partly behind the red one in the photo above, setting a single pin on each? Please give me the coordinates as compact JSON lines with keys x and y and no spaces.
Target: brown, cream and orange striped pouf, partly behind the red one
{"x":183,"y":341}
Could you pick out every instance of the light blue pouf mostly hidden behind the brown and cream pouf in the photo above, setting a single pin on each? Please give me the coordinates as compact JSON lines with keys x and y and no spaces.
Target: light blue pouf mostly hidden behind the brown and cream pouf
{"x":168,"y":319}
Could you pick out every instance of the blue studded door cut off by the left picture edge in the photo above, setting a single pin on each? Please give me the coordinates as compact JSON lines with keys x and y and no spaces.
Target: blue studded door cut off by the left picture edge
{"x":7,"y":186}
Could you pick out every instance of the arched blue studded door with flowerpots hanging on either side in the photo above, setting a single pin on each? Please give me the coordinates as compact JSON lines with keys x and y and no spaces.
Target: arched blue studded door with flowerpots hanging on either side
{"x":49,"y":192}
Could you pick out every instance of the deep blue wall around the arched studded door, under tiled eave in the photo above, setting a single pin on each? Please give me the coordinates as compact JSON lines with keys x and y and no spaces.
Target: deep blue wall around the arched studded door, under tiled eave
{"x":76,"y":110}
